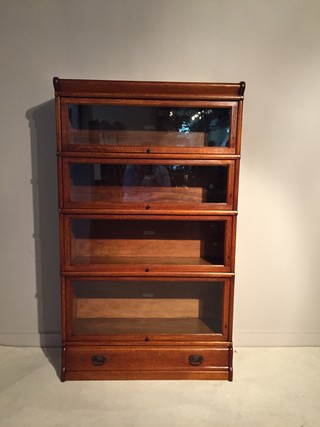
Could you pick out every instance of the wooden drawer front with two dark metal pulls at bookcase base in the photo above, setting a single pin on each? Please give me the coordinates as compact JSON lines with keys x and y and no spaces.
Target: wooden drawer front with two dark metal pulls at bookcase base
{"x":135,"y":358}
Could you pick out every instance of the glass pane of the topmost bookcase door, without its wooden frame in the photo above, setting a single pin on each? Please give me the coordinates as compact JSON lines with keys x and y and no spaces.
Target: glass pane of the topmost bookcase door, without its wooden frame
{"x":149,"y":126}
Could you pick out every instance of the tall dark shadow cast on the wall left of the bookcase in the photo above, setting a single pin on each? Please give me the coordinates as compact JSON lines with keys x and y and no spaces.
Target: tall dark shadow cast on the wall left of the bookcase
{"x":46,"y":226}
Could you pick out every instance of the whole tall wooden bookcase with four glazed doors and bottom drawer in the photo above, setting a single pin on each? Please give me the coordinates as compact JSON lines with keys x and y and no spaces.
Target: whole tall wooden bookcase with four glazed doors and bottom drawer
{"x":148,"y":189}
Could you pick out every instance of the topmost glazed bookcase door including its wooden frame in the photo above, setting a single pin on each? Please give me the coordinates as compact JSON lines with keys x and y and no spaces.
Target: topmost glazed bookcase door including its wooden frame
{"x":162,"y":126}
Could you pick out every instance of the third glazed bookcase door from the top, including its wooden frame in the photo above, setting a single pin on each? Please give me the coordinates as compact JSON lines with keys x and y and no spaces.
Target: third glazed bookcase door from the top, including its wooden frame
{"x":148,"y":244}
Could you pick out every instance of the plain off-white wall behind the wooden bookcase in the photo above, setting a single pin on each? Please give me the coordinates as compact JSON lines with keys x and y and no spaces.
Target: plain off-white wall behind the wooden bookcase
{"x":273,"y":45}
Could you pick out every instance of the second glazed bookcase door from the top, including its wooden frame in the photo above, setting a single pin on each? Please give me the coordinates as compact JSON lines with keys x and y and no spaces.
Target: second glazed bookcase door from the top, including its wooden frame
{"x":148,"y":184}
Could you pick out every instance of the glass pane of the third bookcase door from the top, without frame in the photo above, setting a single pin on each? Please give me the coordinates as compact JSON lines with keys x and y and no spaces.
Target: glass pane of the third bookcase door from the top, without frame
{"x":97,"y":241}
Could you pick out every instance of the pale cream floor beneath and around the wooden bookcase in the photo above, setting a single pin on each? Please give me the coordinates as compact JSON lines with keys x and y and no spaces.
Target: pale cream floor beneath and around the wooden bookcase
{"x":277,"y":387}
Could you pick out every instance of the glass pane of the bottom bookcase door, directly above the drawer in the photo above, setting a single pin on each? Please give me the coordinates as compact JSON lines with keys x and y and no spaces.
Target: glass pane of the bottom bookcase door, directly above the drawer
{"x":170,"y":307}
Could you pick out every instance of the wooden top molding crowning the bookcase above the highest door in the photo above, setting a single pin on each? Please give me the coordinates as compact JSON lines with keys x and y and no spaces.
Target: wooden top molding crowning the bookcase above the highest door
{"x":148,"y":90}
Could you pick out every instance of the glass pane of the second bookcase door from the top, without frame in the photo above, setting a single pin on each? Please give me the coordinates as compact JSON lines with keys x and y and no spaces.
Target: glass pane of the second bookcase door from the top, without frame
{"x":147,"y":183}
